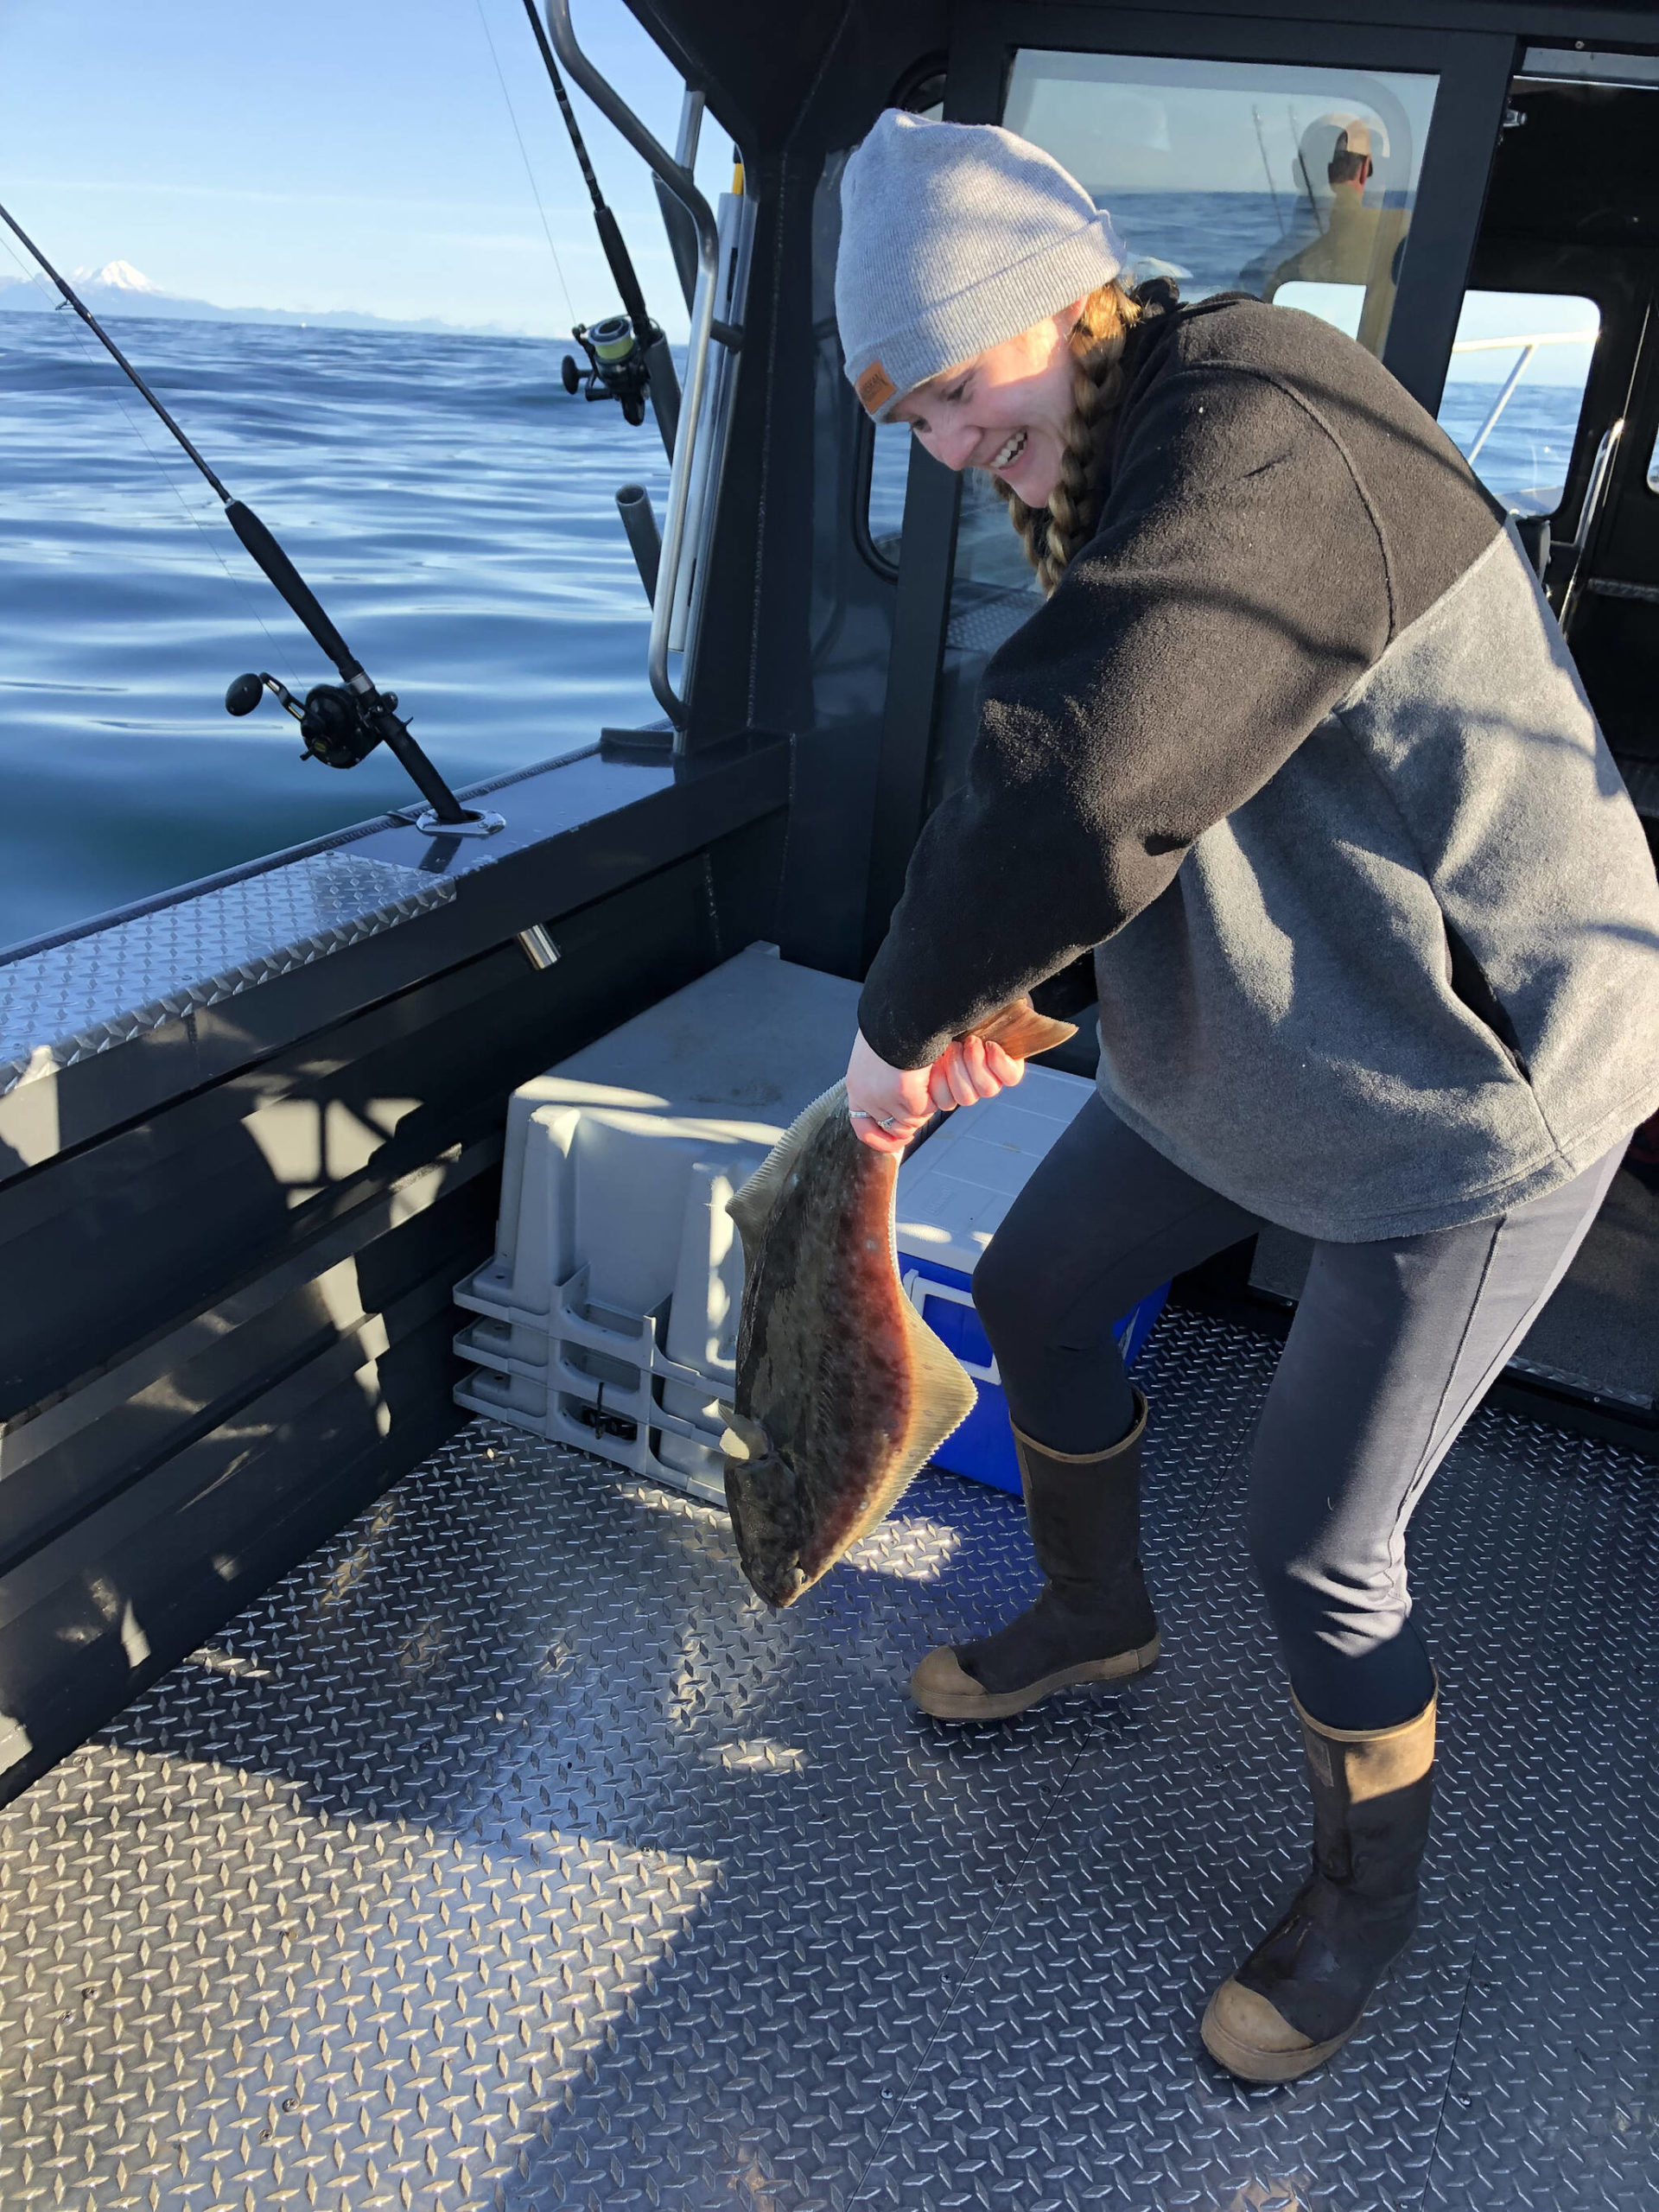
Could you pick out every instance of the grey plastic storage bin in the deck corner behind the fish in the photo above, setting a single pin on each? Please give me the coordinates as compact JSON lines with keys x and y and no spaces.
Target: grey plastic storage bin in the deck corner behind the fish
{"x":607,"y":1315}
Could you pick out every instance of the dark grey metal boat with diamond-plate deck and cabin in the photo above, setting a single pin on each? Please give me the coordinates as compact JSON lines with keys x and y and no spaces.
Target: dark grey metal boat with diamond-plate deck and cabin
{"x":408,"y":1808}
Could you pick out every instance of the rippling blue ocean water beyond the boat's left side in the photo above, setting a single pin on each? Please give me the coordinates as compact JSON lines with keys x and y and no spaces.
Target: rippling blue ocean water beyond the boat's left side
{"x":446,"y":499}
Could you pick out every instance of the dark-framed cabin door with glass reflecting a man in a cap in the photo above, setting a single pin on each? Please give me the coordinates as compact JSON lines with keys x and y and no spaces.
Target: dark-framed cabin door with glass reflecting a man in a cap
{"x":1333,"y":167}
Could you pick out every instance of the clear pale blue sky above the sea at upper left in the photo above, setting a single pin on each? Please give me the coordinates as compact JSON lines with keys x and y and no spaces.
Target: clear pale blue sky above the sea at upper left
{"x":333,"y":154}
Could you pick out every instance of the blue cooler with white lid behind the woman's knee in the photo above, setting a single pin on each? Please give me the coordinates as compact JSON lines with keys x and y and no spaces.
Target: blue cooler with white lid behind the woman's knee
{"x":952,"y":1198}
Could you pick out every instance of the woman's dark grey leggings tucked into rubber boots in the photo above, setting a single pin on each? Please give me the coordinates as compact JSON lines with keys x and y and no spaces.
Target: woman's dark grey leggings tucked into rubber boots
{"x":1392,"y":1348}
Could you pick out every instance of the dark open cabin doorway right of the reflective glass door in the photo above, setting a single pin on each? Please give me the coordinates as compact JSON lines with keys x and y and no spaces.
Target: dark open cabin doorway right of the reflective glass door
{"x":1554,"y":395}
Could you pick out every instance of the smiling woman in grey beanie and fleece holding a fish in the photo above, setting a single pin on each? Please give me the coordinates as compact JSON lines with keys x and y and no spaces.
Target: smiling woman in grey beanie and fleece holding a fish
{"x":1297,"y":751}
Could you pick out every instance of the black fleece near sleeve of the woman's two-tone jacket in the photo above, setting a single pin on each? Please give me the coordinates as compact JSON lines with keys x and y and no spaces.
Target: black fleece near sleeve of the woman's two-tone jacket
{"x":1235,"y":592}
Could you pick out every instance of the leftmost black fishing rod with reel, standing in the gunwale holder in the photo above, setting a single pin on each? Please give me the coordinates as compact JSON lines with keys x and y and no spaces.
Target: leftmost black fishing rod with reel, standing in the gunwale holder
{"x":342,"y":722}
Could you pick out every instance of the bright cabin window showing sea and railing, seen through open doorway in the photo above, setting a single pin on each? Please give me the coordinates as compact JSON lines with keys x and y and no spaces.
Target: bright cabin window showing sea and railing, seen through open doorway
{"x":1516,"y":390}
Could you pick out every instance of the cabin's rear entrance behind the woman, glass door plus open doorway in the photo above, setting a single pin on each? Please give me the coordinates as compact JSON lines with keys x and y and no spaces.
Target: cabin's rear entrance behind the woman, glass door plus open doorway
{"x":1503,"y":262}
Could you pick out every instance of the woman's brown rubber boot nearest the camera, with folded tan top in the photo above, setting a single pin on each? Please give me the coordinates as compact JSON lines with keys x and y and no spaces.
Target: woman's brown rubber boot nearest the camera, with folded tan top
{"x":1302,"y":1992}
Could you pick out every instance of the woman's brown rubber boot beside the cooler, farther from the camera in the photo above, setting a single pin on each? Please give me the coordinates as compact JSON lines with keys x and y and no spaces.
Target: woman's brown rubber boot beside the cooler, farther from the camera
{"x":1094,"y":1620}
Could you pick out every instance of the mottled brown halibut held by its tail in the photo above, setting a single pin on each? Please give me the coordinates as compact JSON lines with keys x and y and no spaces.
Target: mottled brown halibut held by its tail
{"x":842,"y":1388}
